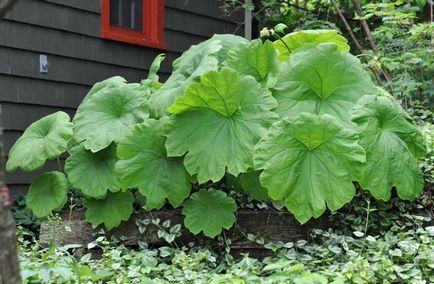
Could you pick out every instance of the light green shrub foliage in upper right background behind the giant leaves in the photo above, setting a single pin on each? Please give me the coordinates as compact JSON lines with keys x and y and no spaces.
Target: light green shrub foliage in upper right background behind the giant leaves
{"x":405,"y":48}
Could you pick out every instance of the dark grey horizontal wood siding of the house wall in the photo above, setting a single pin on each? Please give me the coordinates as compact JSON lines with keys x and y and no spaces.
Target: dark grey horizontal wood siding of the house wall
{"x":68,"y":32}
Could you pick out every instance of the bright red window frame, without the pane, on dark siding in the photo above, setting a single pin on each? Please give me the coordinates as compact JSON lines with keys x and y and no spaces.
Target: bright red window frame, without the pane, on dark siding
{"x":152,"y":34}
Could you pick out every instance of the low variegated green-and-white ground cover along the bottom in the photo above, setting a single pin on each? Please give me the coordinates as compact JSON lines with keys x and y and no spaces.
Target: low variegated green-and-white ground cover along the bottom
{"x":399,"y":253}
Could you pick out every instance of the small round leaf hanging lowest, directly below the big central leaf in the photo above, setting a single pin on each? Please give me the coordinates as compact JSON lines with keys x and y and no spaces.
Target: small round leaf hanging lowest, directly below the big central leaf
{"x":209,"y":211}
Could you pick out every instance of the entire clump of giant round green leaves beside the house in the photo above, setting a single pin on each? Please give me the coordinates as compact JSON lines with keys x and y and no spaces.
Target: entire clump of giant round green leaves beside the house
{"x":303,"y":129}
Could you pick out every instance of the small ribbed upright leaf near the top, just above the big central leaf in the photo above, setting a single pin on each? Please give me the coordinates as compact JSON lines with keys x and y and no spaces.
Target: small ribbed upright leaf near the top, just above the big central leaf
{"x":256,"y":59}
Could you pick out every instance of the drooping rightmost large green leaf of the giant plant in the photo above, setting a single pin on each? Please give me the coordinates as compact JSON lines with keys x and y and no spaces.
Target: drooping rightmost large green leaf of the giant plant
{"x":393,"y":144}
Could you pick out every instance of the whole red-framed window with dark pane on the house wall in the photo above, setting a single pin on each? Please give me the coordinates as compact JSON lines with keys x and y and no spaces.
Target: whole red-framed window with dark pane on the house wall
{"x":134,"y":21}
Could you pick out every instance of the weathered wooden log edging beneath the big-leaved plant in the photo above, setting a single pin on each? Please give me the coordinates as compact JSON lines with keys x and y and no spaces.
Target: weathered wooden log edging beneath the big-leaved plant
{"x":270,"y":225}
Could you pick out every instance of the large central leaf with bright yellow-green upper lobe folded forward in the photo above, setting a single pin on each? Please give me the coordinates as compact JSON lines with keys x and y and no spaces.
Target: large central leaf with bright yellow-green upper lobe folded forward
{"x":218,"y":122}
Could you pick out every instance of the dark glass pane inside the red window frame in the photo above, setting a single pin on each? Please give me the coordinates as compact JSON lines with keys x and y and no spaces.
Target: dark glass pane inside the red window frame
{"x":126,"y":14}
